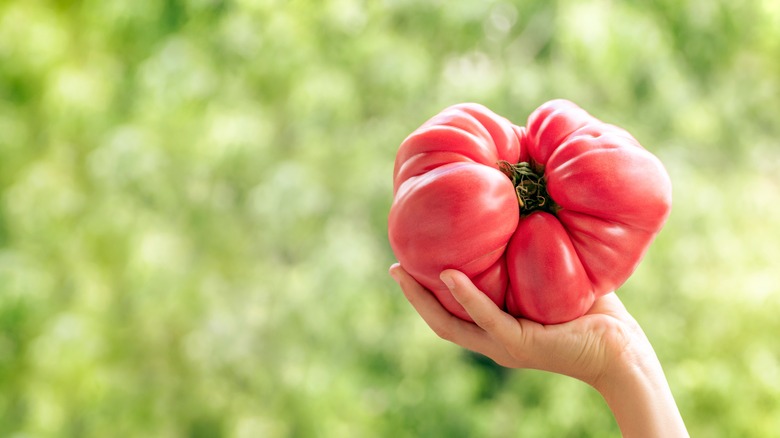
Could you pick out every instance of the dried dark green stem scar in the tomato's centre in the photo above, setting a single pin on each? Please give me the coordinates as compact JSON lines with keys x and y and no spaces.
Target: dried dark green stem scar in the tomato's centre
{"x":530,"y":187}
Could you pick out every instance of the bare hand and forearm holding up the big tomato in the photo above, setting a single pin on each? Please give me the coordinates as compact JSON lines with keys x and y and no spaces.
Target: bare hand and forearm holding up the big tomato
{"x":606,"y":348}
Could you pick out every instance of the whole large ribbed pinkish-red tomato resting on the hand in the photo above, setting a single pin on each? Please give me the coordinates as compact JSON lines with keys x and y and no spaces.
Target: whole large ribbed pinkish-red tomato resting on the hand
{"x":544,"y":219}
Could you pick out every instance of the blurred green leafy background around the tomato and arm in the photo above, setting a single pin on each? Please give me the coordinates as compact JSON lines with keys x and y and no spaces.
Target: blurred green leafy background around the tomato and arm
{"x":193,"y":202}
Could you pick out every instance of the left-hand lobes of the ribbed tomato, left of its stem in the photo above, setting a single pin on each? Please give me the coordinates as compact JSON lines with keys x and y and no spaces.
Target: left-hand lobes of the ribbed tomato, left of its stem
{"x":453,"y":208}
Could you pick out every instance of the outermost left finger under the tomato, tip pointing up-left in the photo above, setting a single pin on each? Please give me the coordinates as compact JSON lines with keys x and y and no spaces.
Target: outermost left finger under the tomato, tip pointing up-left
{"x":443,"y":323}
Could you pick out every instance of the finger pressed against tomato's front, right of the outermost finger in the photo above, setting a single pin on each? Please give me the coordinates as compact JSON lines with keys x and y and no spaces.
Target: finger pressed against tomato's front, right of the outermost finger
{"x":497,"y":323}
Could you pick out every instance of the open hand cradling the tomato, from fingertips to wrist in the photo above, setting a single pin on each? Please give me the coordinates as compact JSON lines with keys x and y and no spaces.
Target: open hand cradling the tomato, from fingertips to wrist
{"x":585,"y":348}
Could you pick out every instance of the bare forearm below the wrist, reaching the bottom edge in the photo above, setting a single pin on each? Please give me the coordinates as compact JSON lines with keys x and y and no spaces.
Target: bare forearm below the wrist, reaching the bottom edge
{"x":641,"y":400}
